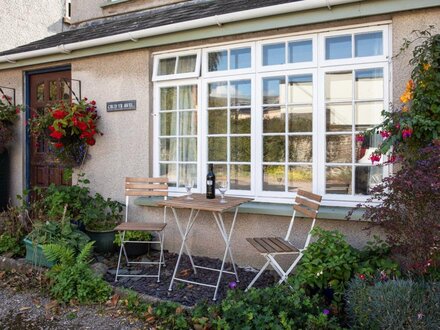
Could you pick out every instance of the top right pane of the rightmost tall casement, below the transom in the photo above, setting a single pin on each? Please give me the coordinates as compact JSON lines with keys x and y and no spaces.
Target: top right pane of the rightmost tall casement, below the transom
{"x":369,"y":84}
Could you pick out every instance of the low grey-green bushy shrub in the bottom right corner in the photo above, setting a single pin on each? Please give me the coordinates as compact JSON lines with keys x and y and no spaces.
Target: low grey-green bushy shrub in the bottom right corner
{"x":397,"y":304}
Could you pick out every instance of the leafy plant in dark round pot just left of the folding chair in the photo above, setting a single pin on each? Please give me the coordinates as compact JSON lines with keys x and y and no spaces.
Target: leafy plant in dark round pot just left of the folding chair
{"x":100,"y":217}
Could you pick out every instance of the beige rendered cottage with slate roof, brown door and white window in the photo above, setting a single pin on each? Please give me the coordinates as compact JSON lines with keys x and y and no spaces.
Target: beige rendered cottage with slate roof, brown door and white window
{"x":273,"y":93}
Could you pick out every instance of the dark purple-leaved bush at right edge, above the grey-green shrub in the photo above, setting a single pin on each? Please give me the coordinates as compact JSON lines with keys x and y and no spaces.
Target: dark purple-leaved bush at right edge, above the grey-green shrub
{"x":409,"y":211}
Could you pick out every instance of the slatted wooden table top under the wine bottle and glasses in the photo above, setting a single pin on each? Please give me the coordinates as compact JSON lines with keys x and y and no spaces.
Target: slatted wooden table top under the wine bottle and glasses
{"x":200,"y":202}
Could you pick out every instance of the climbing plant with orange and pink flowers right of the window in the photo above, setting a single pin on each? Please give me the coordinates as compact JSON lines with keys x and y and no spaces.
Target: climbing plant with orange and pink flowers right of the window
{"x":416,"y":124}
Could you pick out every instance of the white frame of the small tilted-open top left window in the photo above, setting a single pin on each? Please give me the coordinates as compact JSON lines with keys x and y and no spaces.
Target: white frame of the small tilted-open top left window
{"x":195,"y":73}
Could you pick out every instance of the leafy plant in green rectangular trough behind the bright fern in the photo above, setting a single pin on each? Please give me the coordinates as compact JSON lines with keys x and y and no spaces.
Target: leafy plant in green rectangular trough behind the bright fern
{"x":52,"y":232}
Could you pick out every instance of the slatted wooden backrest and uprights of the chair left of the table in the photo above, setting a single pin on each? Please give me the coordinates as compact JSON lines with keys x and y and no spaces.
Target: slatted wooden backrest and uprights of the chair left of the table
{"x":145,"y":187}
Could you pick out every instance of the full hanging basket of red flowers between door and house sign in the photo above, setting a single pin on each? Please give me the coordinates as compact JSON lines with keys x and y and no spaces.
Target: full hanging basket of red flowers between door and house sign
{"x":70,"y":129}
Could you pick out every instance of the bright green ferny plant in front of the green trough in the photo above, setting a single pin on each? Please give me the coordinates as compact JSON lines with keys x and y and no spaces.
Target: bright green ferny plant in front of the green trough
{"x":72,"y":278}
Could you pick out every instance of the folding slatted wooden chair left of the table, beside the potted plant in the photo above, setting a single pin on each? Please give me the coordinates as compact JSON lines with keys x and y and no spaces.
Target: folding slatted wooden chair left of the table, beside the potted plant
{"x":137,"y":187}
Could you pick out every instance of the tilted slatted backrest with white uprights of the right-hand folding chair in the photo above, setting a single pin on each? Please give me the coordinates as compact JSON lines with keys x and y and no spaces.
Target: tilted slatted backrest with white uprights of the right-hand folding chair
{"x":308,"y":205}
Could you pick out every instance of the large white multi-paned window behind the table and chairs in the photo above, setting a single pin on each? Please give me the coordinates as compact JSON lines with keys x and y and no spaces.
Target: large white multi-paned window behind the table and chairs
{"x":274,"y":116}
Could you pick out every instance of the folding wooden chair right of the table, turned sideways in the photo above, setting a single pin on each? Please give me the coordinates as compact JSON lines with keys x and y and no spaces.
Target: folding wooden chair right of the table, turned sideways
{"x":269,"y":247}
